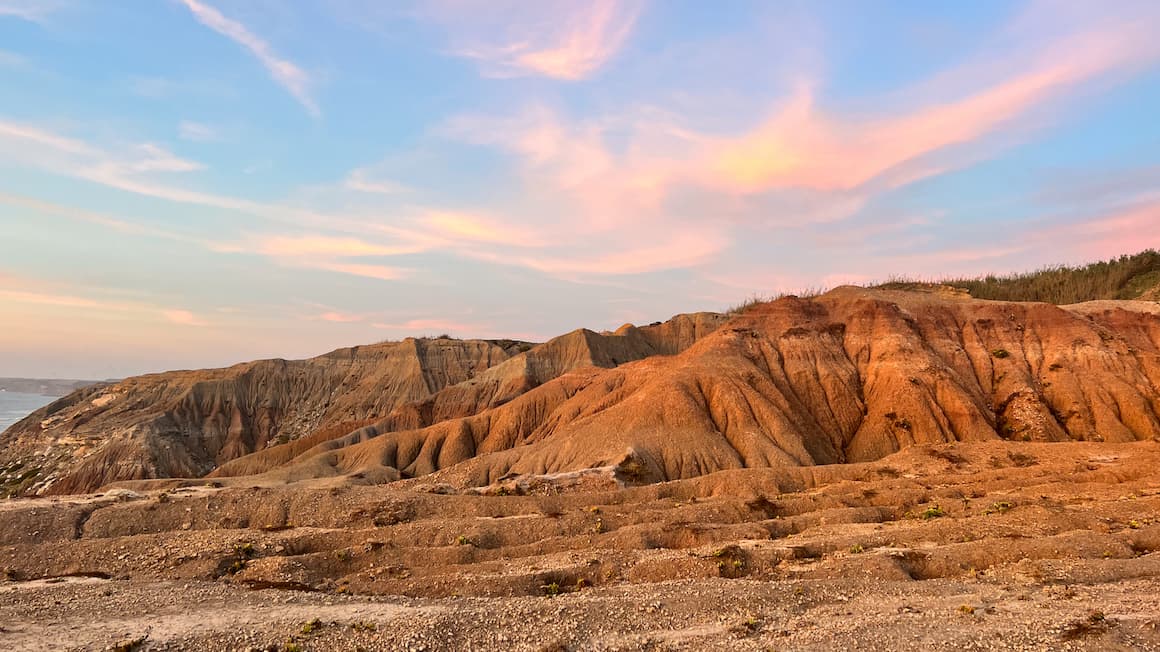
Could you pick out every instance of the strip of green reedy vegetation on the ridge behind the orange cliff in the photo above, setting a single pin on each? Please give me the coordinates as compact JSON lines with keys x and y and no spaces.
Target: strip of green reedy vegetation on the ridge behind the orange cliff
{"x":1126,"y":278}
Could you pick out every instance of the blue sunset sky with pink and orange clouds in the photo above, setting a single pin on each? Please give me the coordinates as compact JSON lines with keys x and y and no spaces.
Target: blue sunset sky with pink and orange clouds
{"x":191,"y":184}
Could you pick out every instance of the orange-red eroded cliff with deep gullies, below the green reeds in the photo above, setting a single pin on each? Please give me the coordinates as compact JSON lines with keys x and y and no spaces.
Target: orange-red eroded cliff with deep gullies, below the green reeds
{"x":851,"y":376}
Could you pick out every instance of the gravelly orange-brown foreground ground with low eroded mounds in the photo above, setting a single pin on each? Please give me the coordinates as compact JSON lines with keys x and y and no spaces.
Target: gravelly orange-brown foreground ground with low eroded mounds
{"x":989,"y":547}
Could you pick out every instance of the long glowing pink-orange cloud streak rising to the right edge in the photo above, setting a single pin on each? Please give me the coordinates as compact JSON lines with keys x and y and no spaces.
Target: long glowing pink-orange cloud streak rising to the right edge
{"x":807,"y":148}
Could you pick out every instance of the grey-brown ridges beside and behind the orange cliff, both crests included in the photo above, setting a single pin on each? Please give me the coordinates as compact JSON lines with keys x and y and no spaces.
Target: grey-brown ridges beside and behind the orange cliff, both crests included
{"x":187,"y":424}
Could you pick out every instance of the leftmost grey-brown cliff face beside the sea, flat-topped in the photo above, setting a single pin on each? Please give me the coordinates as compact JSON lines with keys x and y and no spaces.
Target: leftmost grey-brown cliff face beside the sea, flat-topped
{"x":185,"y":424}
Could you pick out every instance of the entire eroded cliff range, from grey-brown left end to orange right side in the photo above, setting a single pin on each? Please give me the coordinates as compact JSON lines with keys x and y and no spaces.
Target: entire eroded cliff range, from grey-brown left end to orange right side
{"x":851,"y":376}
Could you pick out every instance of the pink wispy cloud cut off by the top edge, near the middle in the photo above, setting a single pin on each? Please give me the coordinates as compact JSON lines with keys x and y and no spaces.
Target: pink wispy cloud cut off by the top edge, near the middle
{"x":561,"y":40}
